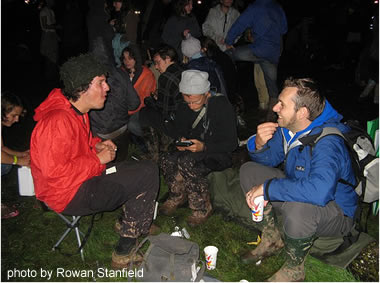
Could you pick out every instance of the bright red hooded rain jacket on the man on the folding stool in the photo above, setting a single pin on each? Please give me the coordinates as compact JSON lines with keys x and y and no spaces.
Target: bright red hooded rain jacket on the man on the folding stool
{"x":62,"y":151}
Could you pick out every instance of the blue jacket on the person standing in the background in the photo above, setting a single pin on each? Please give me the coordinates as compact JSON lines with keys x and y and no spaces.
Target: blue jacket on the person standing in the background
{"x":268,"y":23}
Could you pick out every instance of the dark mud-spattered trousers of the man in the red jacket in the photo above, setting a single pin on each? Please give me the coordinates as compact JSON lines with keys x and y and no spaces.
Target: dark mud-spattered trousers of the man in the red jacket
{"x":134,"y":186}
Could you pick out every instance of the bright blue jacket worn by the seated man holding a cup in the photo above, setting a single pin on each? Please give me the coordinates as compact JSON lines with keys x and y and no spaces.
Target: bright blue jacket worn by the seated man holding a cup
{"x":310,"y":177}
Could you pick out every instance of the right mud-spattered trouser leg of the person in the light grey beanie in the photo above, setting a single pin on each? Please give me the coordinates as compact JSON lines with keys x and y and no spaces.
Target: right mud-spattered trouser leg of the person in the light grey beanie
{"x":194,"y":173}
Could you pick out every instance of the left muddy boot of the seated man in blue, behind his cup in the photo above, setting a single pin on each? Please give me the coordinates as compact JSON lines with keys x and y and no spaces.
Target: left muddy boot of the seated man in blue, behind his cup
{"x":271,"y":240}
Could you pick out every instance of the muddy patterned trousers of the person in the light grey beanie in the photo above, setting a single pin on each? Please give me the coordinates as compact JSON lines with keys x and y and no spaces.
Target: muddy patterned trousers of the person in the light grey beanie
{"x":186,"y":177}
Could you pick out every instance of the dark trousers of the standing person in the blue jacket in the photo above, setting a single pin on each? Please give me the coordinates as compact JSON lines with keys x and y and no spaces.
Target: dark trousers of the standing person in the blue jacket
{"x":244,"y":53}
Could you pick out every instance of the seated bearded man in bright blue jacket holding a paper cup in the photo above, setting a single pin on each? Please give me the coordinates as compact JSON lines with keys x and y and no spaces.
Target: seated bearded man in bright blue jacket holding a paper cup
{"x":307,"y":192}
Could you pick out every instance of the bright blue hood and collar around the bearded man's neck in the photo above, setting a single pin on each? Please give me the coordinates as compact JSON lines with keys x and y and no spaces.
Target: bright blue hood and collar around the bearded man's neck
{"x":329,"y":117}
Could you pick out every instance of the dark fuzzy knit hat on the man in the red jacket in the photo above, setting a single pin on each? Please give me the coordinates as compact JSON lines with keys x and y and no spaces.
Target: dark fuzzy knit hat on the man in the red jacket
{"x":78,"y":72}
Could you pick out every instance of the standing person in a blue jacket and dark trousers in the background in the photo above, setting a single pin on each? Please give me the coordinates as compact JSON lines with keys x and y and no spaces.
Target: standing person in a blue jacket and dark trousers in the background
{"x":267,"y":23}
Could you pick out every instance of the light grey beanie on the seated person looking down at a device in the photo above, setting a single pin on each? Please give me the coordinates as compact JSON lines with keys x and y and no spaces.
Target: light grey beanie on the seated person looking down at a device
{"x":194,"y":82}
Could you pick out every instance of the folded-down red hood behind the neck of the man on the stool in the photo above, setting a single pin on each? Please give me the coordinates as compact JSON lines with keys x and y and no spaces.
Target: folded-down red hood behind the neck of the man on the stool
{"x":53,"y":102}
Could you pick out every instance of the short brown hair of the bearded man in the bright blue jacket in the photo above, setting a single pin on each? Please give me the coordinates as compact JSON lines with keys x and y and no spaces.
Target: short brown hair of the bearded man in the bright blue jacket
{"x":308,"y":95}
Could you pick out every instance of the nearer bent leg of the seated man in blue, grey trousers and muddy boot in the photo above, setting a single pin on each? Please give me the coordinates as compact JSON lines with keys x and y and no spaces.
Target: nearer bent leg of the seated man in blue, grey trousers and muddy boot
{"x":302,"y":223}
